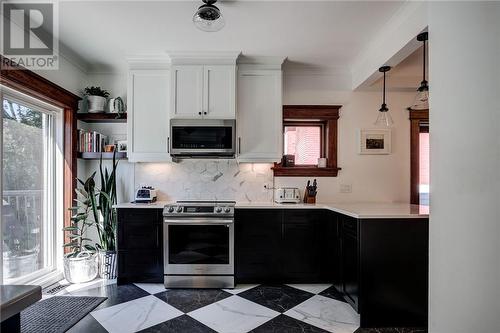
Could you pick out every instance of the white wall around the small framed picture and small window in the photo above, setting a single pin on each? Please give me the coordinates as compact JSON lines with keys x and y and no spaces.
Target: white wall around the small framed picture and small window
{"x":372,"y":177}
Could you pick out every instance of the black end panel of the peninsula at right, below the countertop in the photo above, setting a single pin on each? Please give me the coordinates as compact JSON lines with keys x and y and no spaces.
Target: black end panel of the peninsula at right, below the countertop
{"x":393,"y":272}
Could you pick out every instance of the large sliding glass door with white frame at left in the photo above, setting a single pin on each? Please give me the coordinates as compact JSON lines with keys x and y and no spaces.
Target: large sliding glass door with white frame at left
{"x":31,"y":158}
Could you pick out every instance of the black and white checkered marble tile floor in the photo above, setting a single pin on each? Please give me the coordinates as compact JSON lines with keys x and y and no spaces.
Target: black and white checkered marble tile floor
{"x":247,"y":308}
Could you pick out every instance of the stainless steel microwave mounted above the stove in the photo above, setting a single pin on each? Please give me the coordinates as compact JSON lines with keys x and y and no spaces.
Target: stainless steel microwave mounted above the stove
{"x":202,"y":138}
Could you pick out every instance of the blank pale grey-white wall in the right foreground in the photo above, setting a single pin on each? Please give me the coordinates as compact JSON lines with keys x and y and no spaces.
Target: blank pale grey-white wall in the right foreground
{"x":465,"y":164}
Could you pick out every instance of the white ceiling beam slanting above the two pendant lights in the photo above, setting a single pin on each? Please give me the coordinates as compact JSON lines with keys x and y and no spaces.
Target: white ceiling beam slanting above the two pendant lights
{"x":394,"y":42}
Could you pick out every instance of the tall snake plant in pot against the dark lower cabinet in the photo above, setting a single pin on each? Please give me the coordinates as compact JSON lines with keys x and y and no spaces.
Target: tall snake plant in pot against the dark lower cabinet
{"x":106,"y":219}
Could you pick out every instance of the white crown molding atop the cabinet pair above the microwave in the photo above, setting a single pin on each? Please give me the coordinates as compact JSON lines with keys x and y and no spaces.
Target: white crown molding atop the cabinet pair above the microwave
{"x":201,"y":58}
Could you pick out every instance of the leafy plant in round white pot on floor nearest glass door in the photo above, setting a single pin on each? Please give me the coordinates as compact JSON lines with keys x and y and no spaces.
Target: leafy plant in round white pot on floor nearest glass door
{"x":80,"y":263}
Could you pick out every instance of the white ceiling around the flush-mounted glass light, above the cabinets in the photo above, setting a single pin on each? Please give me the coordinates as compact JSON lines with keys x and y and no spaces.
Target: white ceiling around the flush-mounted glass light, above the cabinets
{"x":321,"y":35}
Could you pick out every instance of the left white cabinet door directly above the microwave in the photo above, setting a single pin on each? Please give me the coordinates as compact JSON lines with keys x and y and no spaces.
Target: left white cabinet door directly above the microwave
{"x":187,"y":91}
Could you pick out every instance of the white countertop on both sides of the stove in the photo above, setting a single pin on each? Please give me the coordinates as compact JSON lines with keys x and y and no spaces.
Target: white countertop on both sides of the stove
{"x":360,"y":210}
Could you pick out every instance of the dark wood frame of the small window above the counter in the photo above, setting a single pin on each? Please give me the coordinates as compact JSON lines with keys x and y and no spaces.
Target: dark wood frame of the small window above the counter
{"x":327,"y":115}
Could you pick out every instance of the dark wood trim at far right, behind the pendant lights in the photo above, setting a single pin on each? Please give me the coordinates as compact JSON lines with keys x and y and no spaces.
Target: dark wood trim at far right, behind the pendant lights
{"x":417,"y":118}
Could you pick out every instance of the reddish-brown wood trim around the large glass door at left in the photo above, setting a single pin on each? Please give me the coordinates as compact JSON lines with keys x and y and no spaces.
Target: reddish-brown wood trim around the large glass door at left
{"x":34,"y":85}
